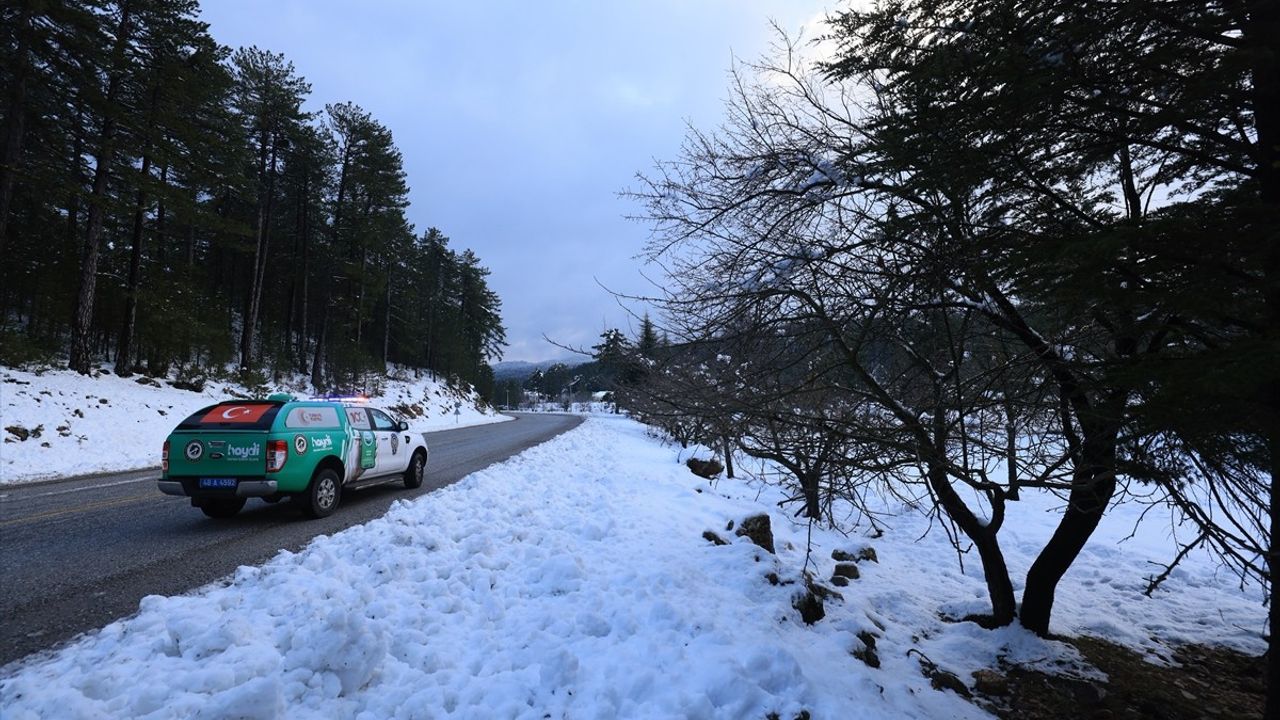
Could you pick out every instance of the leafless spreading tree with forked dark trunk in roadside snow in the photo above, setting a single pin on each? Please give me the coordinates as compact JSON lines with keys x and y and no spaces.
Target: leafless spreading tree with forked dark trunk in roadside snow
{"x":810,"y":207}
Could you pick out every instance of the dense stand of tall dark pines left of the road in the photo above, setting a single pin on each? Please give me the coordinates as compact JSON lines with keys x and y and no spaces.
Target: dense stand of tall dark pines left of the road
{"x":168,"y":203}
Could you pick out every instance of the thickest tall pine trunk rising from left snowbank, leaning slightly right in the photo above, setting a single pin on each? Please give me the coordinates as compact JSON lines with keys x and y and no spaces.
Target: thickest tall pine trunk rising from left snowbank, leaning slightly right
{"x":81,"y":350}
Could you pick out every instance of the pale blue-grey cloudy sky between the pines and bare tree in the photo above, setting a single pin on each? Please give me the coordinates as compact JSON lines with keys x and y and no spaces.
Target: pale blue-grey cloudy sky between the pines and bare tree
{"x":520,"y":122}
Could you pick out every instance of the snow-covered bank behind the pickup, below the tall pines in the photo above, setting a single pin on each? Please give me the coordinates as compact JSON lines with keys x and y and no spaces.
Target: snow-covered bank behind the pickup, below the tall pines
{"x":89,"y":425}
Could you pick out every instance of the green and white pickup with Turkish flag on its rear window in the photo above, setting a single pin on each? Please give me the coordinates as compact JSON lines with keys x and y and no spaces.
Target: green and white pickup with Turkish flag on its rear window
{"x":310,"y":450}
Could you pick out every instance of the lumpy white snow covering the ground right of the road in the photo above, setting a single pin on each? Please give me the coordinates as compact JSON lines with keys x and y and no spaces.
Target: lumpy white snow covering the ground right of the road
{"x":574,"y":582}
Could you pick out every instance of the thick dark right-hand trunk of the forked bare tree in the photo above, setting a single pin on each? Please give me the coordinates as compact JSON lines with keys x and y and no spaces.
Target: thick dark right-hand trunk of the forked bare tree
{"x":1094,"y":482}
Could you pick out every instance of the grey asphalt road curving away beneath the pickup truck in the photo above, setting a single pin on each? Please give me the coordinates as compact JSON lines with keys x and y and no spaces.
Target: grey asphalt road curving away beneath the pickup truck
{"x":79,"y":554}
